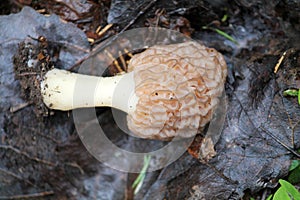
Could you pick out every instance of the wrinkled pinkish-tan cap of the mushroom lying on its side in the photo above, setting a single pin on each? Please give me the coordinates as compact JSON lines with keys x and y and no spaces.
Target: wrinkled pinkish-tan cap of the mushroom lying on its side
{"x":178,"y":87}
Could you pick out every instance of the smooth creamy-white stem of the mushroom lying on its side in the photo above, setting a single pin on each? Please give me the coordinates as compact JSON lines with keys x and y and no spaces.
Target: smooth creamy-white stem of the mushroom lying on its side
{"x":63,"y":90}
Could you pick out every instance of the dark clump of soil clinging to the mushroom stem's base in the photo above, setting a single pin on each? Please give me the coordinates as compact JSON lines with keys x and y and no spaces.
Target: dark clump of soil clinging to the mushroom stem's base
{"x":31,"y":63}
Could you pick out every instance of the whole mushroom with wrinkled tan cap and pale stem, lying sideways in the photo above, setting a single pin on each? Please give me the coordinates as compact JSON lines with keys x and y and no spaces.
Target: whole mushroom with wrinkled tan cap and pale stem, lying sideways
{"x":169,"y":90}
